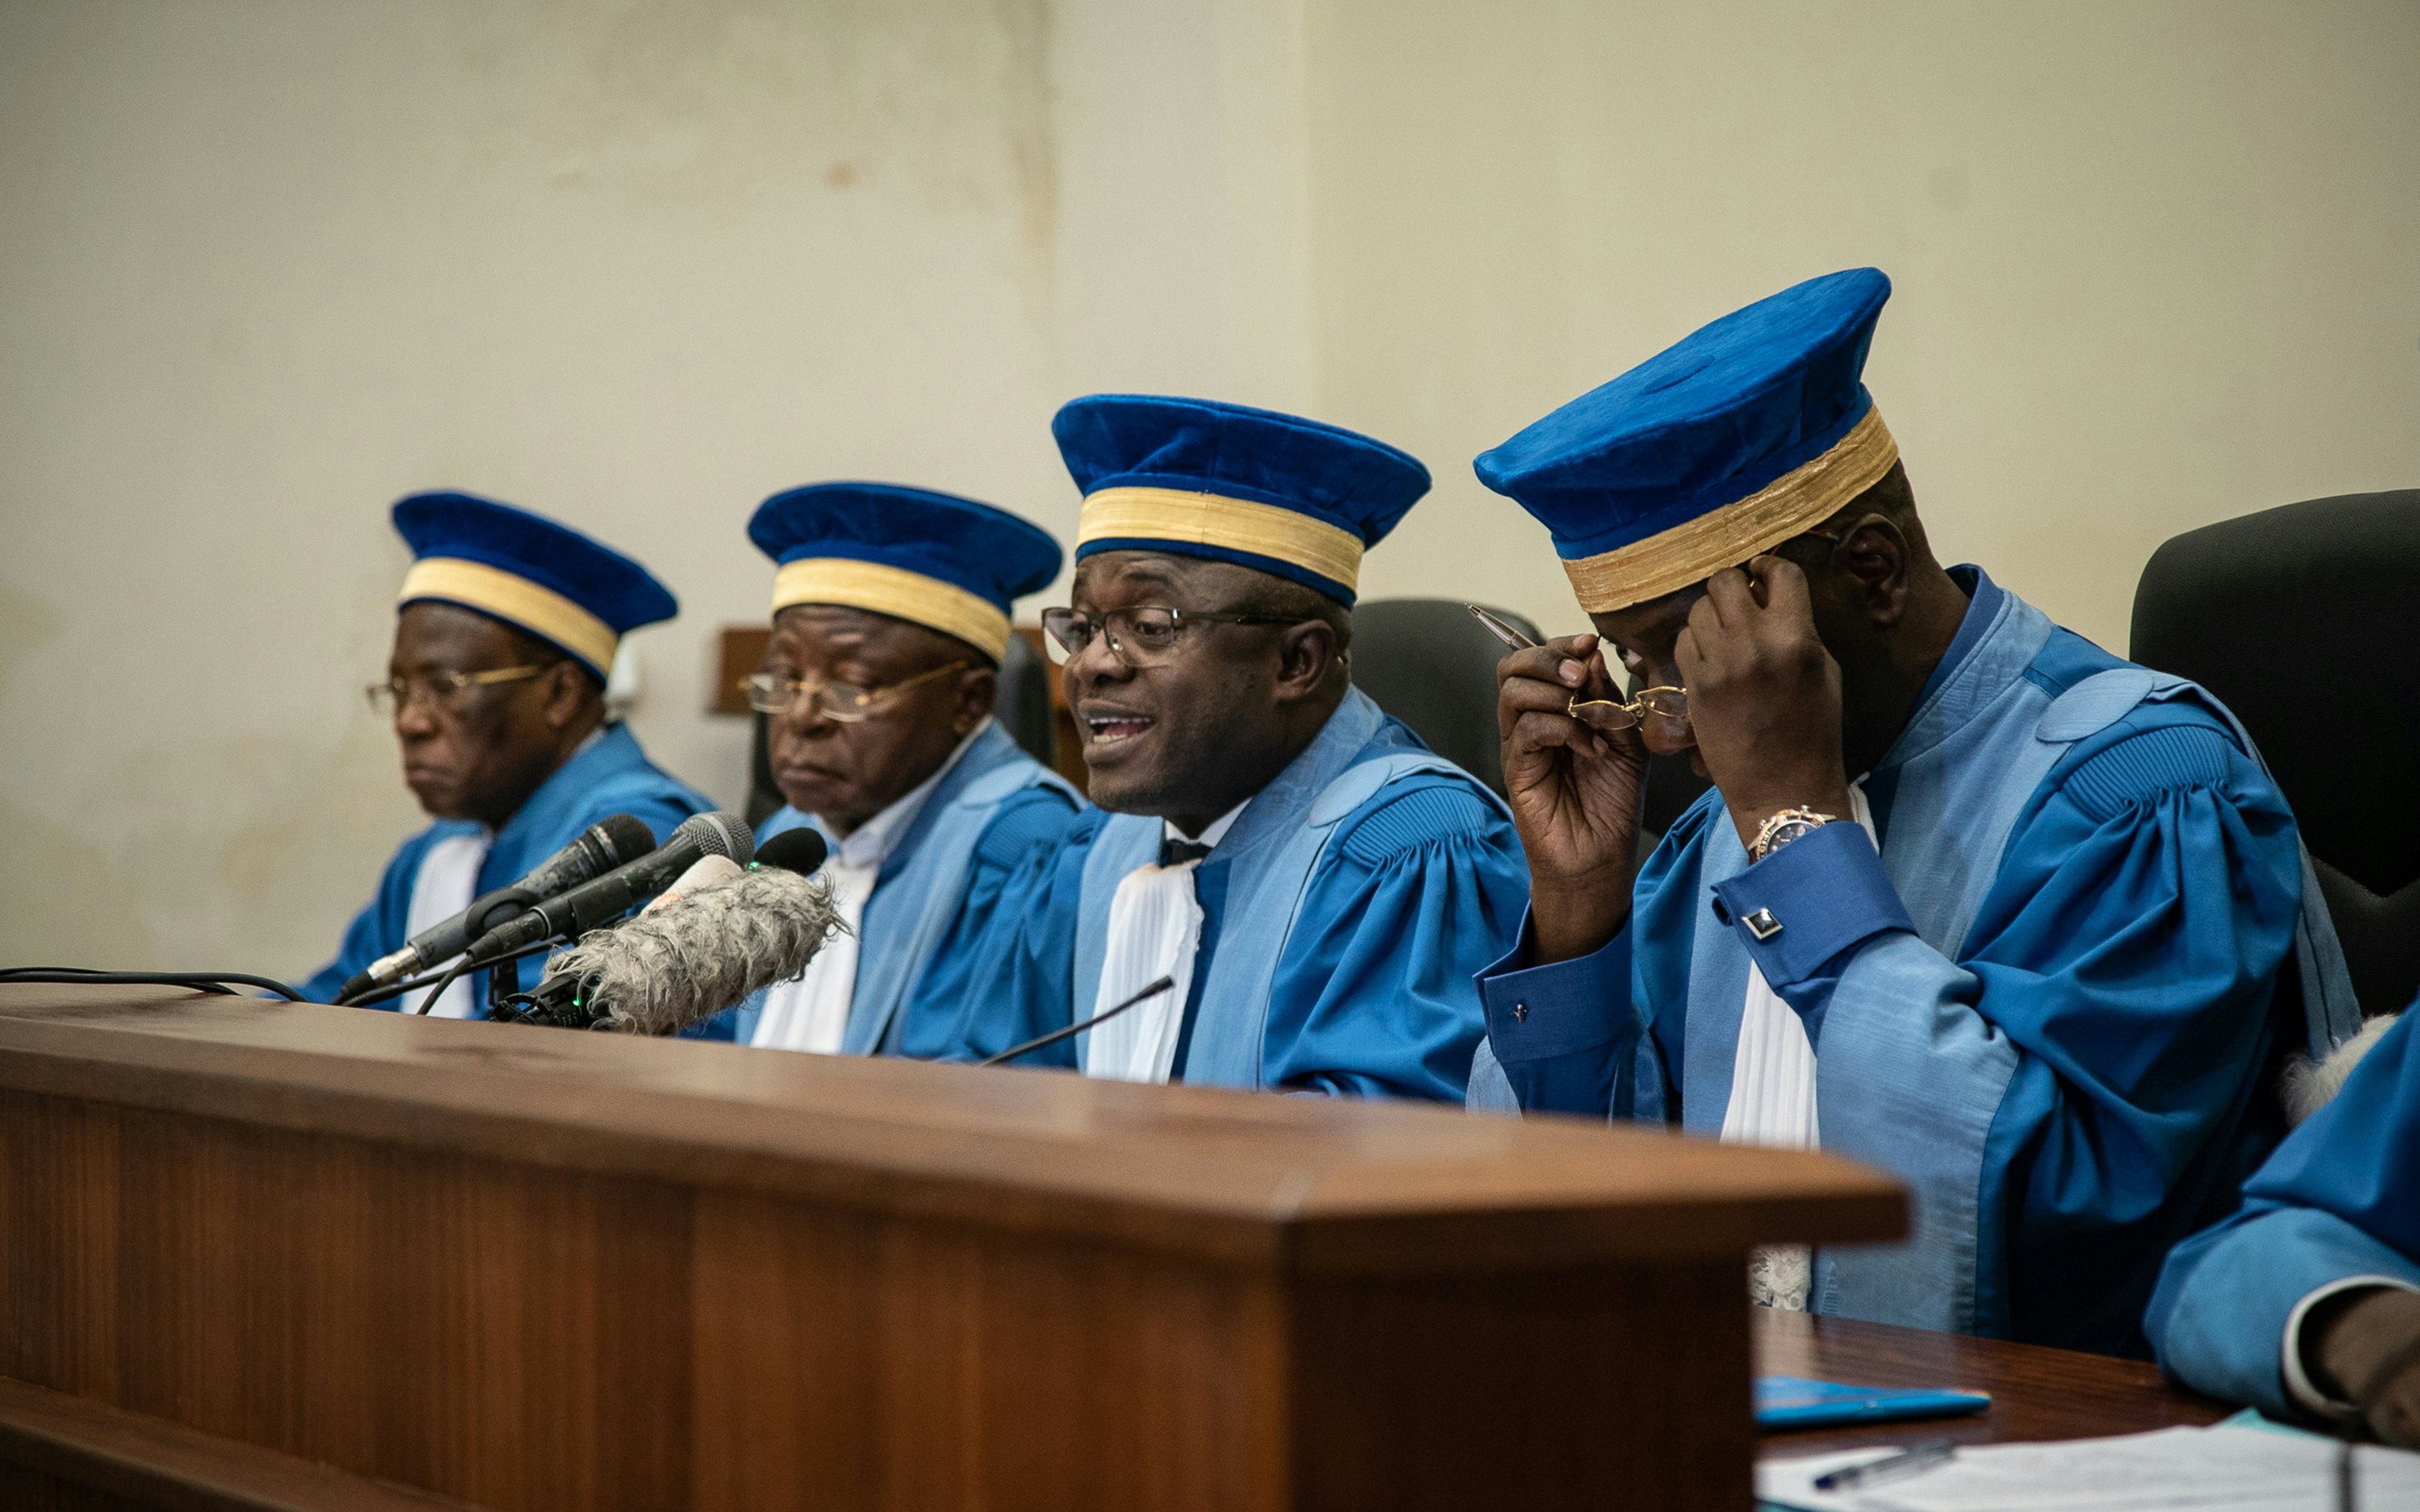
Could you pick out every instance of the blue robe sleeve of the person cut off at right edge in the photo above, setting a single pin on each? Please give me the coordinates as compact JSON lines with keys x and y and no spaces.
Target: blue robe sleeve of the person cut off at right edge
{"x":2339,"y":1201}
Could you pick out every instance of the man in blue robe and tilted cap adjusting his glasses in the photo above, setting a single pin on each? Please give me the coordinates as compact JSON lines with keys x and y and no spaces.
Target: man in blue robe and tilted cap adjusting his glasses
{"x":2041,"y":959}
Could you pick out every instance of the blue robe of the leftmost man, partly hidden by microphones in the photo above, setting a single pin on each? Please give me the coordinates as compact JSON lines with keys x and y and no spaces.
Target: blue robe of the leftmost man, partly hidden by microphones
{"x":609,"y":775}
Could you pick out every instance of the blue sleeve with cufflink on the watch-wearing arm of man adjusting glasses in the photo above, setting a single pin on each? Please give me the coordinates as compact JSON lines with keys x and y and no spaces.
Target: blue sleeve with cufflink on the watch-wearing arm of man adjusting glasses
{"x":2107,"y":1032}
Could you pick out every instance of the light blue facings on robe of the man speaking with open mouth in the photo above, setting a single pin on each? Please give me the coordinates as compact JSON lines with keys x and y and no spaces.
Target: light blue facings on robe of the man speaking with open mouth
{"x":1277,"y":848}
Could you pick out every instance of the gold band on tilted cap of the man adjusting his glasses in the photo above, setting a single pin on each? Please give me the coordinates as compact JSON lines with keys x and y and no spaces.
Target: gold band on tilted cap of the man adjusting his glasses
{"x":1695,"y":550}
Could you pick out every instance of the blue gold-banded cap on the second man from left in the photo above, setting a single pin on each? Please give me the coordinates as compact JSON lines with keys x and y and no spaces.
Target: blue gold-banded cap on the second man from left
{"x":918,"y":555}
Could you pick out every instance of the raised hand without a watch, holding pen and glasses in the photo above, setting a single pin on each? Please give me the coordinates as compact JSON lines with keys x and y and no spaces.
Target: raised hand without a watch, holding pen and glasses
{"x":1574,"y":795}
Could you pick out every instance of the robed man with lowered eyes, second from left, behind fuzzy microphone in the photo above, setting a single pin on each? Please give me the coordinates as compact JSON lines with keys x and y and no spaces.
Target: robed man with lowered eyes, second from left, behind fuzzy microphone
{"x":889,"y":621}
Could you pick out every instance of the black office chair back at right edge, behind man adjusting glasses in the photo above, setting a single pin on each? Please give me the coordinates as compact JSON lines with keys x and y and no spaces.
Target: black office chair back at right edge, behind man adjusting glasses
{"x":2305,"y":621}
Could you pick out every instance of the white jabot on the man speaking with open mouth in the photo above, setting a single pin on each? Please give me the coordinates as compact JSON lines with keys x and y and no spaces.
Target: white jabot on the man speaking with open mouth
{"x":1156,"y":928}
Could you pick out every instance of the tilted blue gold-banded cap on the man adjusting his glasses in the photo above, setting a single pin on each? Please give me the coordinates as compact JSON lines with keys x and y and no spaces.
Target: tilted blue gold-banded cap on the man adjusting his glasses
{"x":1717,"y":449}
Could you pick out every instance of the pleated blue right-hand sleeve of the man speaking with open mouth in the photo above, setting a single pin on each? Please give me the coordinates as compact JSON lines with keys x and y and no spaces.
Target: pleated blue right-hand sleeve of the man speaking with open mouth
{"x":1376,"y":986}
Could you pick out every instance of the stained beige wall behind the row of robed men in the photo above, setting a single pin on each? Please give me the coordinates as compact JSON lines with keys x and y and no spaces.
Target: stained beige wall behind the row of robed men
{"x":267,"y":265}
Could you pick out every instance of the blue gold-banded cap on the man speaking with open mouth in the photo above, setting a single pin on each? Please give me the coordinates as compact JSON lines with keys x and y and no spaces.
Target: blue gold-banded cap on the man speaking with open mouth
{"x":1197,"y":478}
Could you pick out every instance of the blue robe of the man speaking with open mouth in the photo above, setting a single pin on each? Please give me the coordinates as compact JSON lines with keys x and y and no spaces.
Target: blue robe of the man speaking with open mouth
{"x":1344,"y":916}
